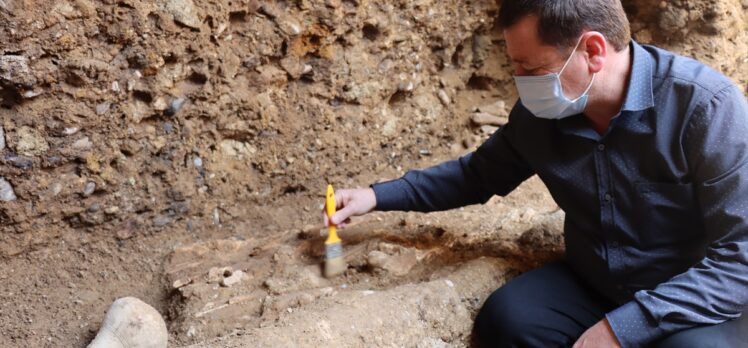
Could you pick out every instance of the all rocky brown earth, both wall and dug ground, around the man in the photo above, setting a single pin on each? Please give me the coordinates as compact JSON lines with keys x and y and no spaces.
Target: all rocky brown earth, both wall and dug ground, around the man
{"x":178,"y":150}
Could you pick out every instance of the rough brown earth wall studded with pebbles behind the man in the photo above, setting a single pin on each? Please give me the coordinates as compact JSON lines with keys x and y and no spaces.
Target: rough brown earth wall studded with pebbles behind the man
{"x":140,"y":113}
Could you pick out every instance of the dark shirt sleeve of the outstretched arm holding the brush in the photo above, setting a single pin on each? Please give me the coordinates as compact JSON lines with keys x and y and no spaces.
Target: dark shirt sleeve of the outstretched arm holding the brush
{"x":494,"y":168}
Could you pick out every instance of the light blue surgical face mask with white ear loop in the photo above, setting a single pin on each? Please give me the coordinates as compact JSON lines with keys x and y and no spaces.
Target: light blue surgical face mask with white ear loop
{"x":544,"y":95}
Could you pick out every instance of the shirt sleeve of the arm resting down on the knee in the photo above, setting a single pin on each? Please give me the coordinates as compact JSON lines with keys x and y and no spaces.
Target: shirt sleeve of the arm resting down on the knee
{"x":715,"y":289}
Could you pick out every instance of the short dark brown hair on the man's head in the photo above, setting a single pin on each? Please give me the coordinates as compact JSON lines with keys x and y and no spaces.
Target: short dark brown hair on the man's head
{"x":561,"y":22}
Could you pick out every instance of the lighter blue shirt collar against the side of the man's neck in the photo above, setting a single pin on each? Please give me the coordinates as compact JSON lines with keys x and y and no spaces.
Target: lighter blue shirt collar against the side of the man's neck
{"x":639,"y":95}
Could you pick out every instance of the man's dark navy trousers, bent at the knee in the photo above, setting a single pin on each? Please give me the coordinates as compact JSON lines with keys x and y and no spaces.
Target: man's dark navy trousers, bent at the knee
{"x":551,"y":307}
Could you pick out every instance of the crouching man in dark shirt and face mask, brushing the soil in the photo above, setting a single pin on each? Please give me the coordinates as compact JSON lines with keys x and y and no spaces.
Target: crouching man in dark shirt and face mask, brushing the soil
{"x":645,"y":151}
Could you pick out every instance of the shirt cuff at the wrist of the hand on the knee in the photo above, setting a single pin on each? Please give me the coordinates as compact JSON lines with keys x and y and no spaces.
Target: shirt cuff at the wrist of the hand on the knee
{"x":633,"y":326}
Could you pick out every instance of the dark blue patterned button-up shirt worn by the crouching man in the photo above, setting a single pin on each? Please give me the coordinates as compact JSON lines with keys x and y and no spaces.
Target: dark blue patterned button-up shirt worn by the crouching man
{"x":656,"y":207}
